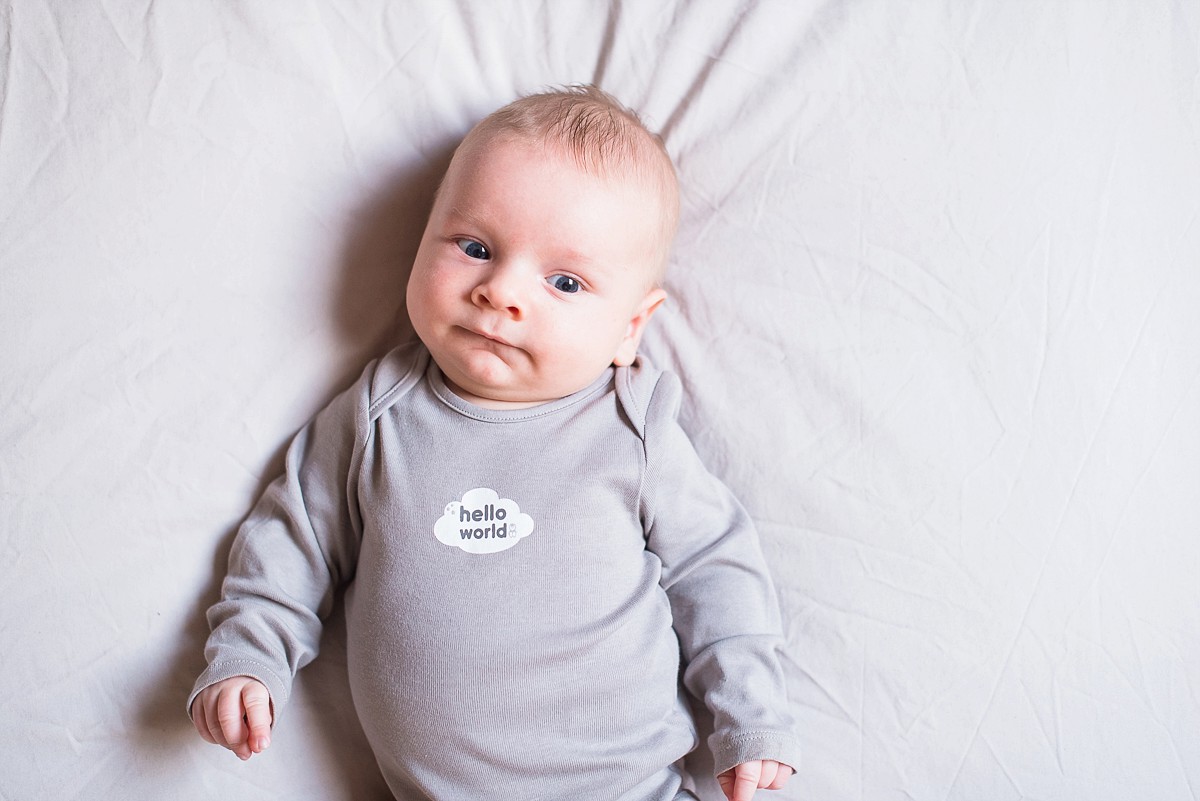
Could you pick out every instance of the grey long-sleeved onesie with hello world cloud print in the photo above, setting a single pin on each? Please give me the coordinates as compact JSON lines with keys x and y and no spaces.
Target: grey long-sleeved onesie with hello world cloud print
{"x":525,"y":586}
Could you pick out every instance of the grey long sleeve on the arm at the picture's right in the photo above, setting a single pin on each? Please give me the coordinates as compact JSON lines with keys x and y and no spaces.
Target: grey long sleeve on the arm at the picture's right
{"x":723,"y":601}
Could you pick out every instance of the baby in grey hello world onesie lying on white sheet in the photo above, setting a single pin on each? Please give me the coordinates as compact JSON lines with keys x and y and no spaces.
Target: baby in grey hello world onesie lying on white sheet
{"x":541,"y":563}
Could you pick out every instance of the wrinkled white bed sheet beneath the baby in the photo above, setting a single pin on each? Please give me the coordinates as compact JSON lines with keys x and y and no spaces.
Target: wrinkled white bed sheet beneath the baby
{"x":934,"y":302}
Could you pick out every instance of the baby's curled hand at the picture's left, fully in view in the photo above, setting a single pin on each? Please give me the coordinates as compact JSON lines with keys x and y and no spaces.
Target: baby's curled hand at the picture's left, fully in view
{"x":236,"y":714}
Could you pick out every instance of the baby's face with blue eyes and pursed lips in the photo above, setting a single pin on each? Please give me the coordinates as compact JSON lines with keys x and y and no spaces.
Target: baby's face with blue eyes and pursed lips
{"x":533,"y":276}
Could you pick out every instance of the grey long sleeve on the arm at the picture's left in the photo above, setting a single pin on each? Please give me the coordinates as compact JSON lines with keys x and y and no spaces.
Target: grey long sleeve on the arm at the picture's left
{"x":298,"y":545}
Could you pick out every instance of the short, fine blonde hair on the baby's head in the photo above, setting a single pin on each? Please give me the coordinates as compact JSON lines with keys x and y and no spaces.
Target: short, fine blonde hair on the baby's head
{"x":597,"y":131}
